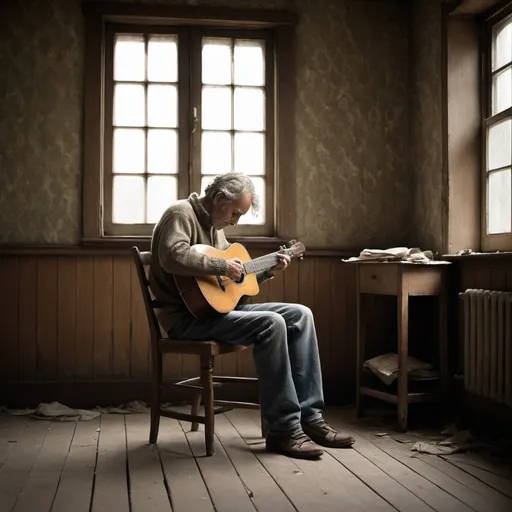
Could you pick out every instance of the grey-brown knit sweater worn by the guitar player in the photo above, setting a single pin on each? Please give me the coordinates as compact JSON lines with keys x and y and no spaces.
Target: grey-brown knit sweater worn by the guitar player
{"x":183,"y":224}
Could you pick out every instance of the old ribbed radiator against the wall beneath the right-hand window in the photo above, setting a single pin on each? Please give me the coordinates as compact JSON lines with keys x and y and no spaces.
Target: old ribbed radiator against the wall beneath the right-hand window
{"x":488,"y":344}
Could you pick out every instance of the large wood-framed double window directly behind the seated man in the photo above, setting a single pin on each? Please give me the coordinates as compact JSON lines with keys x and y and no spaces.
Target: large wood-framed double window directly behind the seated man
{"x":172,"y":102}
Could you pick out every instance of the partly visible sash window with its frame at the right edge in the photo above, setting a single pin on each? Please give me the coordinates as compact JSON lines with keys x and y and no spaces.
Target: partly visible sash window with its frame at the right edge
{"x":497,"y":229}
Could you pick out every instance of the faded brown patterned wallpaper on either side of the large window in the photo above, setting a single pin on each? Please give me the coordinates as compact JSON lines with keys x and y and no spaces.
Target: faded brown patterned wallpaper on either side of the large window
{"x":353,"y":113}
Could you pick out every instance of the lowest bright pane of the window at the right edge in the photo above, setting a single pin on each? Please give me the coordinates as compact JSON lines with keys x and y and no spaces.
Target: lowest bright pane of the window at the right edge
{"x":499,"y":202}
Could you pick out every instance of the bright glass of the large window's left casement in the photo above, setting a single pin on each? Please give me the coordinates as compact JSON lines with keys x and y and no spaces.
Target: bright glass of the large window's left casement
{"x":145,"y":127}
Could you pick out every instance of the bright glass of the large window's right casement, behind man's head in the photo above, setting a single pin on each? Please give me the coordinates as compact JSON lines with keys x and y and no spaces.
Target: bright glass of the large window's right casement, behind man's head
{"x":233,"y":105}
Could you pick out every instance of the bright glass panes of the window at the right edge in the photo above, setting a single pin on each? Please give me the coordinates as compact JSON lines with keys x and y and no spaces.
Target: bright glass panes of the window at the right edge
{"x":499,"y":133}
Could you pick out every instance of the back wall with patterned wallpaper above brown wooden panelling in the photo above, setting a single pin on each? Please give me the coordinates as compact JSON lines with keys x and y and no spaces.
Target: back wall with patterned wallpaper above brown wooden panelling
{"x":71,"y":327}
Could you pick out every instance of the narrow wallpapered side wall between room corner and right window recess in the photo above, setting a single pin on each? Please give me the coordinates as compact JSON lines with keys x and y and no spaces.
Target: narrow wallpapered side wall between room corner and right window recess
{"x":429,"y":209}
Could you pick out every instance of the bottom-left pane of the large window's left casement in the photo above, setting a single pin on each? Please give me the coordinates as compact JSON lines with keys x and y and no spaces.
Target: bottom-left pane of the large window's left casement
{"x":128,"y":200}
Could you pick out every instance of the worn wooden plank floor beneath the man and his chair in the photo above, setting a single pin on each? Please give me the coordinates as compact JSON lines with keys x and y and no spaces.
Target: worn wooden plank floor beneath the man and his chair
{"x":107,"y":465}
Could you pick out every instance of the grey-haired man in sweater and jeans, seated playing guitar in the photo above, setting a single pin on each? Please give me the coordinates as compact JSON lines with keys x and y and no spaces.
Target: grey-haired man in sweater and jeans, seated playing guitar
{"x":285,"y":344}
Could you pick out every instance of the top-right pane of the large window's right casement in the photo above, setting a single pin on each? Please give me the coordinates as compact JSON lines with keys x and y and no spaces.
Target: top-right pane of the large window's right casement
{"x":249,"y":62}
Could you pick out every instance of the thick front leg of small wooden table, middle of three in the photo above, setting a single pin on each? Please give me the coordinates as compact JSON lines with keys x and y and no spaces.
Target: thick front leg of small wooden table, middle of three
{"x":403,"y":345}
